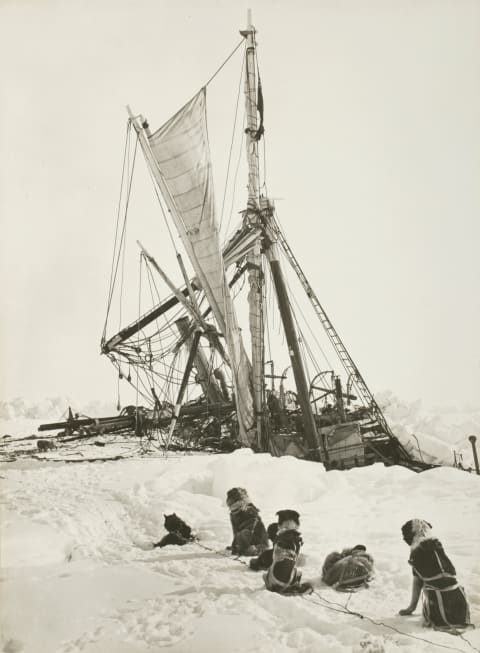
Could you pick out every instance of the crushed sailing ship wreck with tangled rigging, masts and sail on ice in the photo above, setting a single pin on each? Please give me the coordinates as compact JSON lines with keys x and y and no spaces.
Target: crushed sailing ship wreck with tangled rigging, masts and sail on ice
{"x":186,"y":356}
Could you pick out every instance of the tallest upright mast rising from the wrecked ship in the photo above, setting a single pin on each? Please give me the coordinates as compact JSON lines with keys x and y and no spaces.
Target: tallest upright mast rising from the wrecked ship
{"x":254,"y":259}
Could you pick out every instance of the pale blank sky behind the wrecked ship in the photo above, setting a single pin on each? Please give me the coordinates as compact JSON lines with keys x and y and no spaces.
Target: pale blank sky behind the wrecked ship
{"x":372,"y":116}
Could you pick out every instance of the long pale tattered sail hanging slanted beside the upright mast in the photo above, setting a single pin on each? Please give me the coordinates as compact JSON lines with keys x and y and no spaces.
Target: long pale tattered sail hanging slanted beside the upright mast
{"x":182,"y":156}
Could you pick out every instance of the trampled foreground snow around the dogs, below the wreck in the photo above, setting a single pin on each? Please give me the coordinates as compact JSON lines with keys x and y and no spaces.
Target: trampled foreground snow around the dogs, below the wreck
{"x":79,"y":573}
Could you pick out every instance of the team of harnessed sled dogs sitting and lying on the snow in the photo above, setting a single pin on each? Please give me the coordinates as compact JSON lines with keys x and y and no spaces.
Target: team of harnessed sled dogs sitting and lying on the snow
{"x":445,"y":606}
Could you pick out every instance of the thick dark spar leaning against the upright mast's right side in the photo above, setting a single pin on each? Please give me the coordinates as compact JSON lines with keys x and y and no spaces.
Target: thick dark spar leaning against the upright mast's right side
{"x":295,"y":356}
